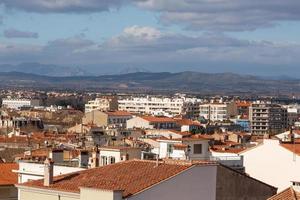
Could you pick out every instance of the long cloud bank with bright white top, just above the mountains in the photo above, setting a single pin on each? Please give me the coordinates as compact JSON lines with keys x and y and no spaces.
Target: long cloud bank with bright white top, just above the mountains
{"x":130,"y":48}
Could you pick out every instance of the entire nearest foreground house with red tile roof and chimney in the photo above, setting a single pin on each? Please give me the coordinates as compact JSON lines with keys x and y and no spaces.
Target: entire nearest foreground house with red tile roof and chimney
{"x":148,"y":180}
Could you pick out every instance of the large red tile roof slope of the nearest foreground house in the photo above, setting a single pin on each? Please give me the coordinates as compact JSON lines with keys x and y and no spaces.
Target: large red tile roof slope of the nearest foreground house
{"x":130,"y":177}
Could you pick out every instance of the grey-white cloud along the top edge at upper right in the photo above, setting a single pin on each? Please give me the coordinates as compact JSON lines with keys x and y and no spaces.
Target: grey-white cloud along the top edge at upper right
{"x":224,"y":15}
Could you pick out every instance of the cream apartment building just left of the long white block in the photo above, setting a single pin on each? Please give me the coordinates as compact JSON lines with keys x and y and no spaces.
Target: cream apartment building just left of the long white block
{"x":105,"y":103}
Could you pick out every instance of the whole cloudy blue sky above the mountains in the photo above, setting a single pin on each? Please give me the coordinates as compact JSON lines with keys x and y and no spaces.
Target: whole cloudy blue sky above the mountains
{"x":105,"y":36}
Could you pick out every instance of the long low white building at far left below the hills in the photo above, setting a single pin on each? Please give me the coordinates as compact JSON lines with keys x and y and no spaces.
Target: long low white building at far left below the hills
{"x":19,"y":103}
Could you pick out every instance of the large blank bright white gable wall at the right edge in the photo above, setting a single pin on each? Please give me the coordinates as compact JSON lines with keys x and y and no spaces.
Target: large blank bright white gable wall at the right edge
{"x":272,"y":164}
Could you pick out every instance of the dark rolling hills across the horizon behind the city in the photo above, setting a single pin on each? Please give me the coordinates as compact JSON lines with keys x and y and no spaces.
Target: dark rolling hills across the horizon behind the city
{"x":205,"y":83}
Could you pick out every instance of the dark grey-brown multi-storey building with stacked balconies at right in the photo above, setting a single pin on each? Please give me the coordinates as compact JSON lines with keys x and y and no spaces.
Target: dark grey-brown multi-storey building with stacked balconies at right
{"x":267,"y":118}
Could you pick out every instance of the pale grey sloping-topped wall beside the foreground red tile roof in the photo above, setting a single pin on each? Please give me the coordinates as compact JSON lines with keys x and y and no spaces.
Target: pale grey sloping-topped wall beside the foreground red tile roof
{"x":196,"y":183}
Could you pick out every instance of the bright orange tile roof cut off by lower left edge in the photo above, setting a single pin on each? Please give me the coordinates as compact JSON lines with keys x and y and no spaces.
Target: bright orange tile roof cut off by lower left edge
{"x":7,"y":177}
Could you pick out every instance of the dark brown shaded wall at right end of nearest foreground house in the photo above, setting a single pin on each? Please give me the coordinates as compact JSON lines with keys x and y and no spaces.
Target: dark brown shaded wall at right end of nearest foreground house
{"x":235,"y":186}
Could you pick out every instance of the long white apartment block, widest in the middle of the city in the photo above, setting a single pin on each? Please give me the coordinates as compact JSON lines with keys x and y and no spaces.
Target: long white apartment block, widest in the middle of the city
{"x":149,"y":105}
